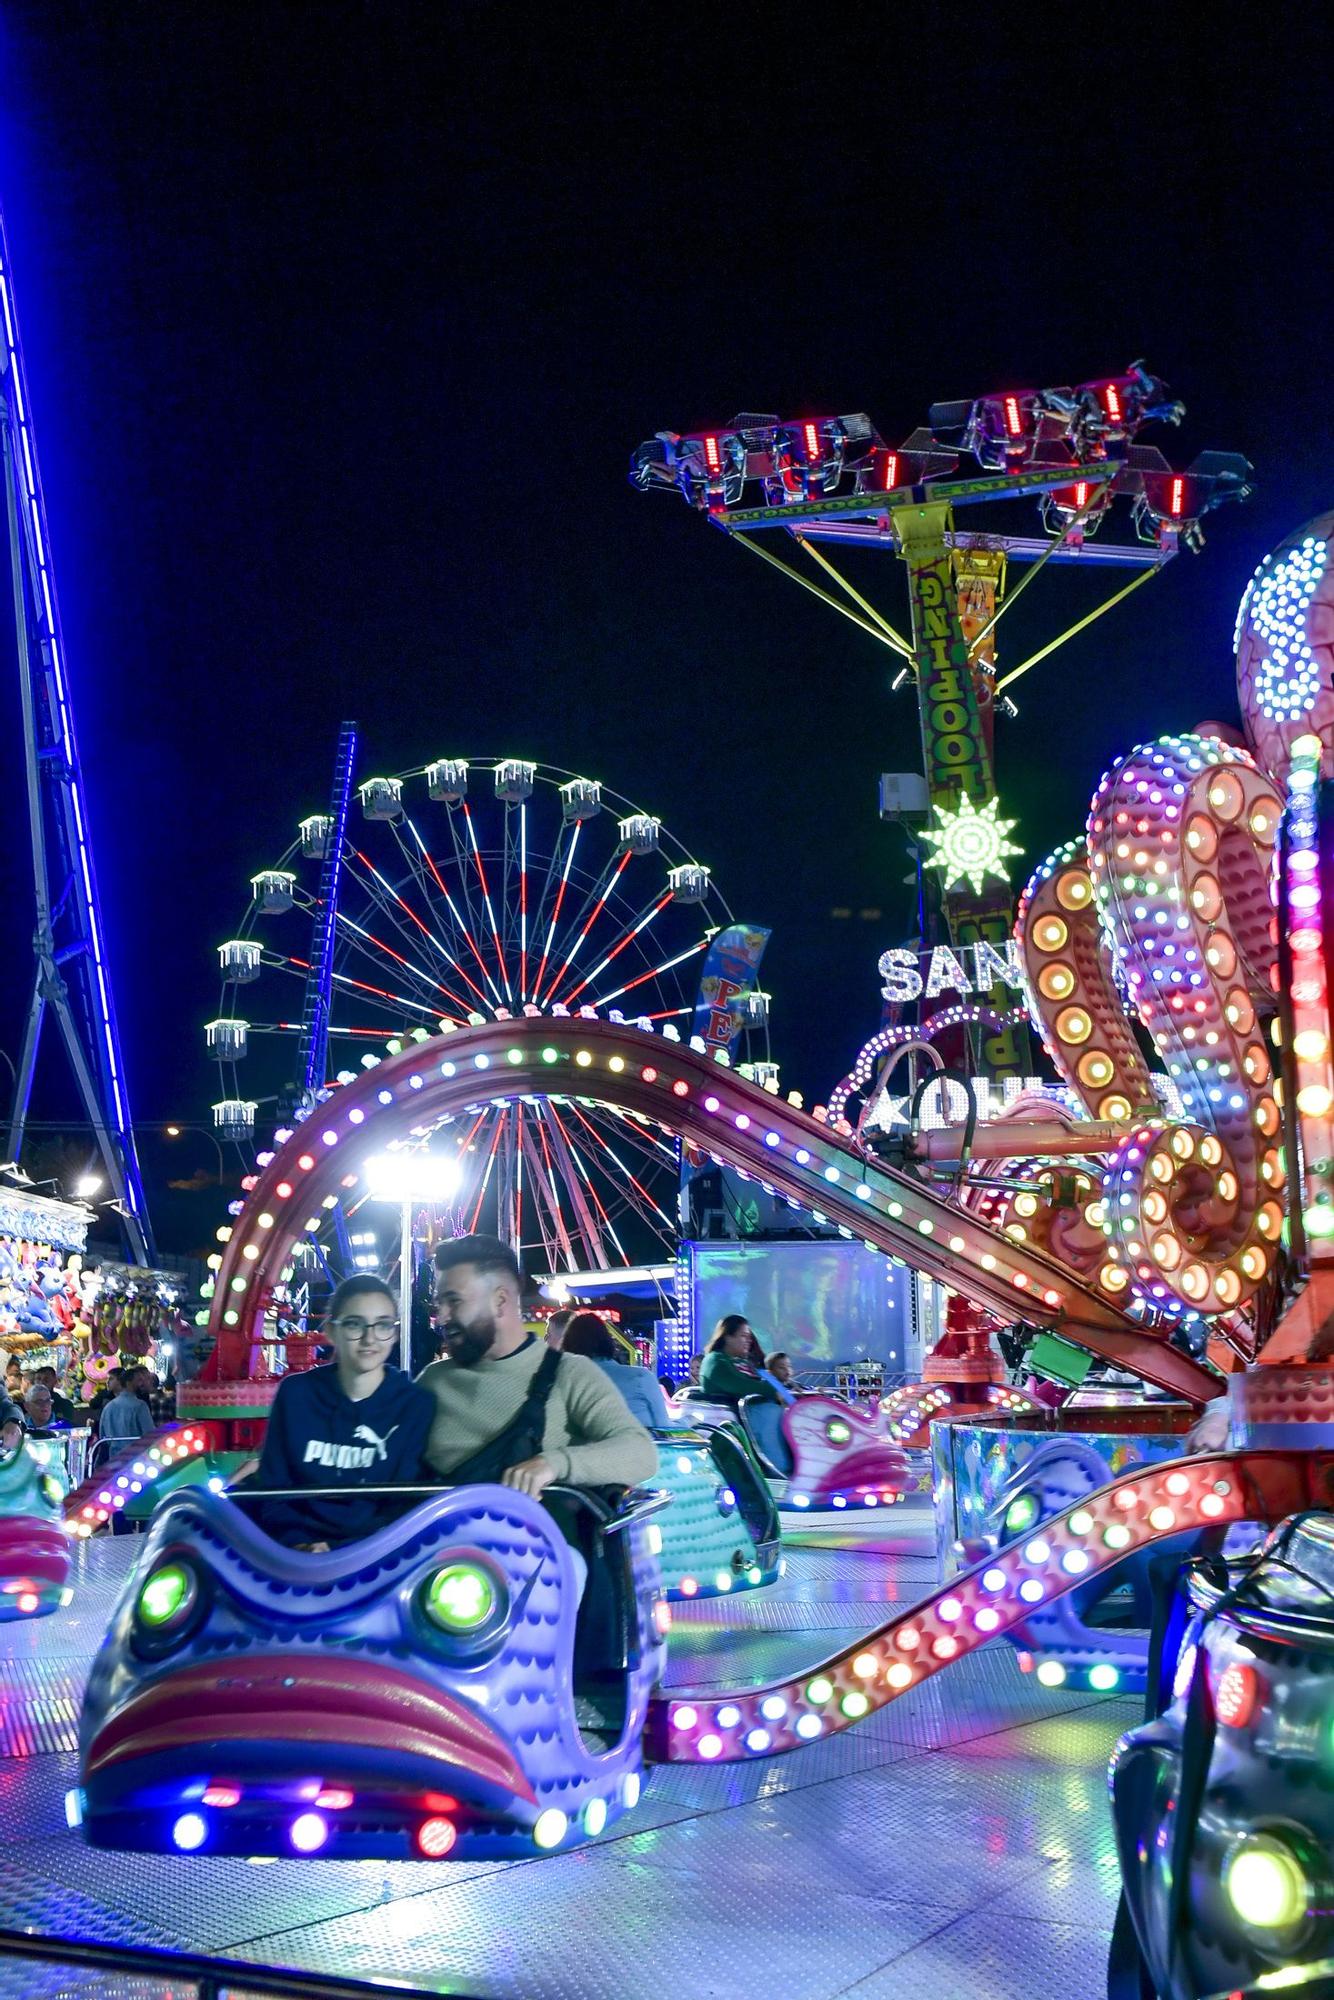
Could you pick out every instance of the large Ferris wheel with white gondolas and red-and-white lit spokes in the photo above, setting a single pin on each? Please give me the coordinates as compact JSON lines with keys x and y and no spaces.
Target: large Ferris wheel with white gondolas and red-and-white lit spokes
{"x":471,"y":891}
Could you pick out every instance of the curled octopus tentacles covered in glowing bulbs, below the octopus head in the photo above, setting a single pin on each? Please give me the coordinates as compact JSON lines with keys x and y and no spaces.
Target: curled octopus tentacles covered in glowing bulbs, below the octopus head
{"x":1175,"y":887}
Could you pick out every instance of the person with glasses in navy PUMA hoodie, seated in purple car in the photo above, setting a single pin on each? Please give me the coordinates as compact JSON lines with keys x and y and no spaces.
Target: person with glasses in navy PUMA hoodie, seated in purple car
{"x":349,"y":1425}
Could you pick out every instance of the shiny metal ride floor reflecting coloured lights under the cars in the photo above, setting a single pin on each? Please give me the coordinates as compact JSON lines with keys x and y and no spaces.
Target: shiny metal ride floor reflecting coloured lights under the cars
{"x":957,"y":1843}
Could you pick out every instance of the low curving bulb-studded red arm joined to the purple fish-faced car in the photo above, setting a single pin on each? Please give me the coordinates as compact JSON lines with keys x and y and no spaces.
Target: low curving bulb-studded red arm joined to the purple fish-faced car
{"x":1133,"y":1513}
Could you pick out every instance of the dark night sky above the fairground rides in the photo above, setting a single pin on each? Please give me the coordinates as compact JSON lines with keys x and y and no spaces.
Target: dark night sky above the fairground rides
{"x":343,"y":321}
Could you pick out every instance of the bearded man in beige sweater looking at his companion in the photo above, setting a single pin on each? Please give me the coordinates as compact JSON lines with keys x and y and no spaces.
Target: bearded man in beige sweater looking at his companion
{"x":509,"y":1407}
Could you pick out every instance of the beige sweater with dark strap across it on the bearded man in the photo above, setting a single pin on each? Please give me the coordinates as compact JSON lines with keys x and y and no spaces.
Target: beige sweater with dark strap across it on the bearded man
{"x":591,"y":1439}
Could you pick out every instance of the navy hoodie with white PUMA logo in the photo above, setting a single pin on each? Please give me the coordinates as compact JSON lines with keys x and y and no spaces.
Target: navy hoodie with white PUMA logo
{"x":319,"y":1437}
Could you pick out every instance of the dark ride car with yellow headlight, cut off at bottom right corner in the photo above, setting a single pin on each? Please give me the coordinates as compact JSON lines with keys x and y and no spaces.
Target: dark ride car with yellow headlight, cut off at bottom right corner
{"x":1225,"y":1819}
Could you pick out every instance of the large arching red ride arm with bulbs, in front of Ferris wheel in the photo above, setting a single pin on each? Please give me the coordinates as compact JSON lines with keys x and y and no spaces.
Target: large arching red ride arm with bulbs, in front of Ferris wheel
{"x":737,"y":1123}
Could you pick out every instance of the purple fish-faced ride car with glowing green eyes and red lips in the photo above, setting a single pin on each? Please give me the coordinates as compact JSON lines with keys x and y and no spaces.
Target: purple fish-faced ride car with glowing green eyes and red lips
{"x":409,"y":1695}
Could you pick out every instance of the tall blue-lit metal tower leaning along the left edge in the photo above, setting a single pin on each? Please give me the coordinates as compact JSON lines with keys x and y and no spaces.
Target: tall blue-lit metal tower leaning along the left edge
{"x":71,"y":975}
